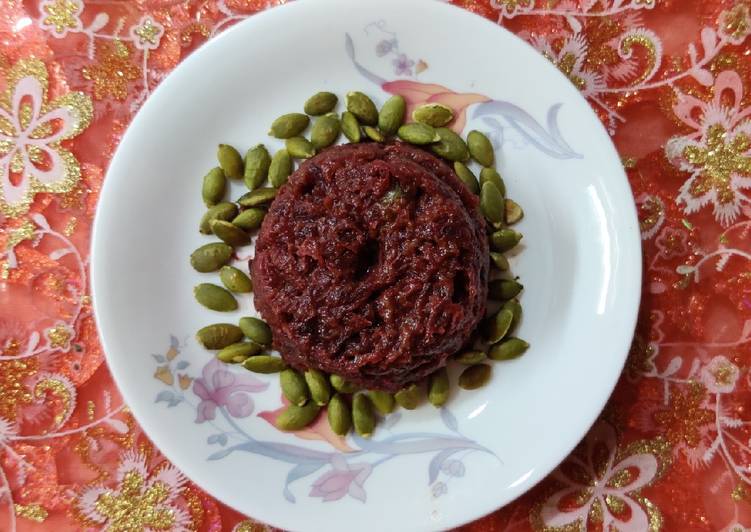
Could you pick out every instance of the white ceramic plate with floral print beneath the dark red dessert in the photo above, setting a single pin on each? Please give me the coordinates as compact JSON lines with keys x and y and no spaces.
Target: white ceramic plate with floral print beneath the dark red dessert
{"x":425,"y":469}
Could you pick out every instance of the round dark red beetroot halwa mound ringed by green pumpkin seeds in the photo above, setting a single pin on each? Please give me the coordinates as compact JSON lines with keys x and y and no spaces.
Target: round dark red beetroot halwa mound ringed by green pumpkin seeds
{"x":372,"y":264}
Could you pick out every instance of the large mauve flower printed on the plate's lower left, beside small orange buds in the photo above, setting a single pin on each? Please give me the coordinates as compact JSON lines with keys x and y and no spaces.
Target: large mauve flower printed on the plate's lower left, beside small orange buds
{"x":219,"y":387}
